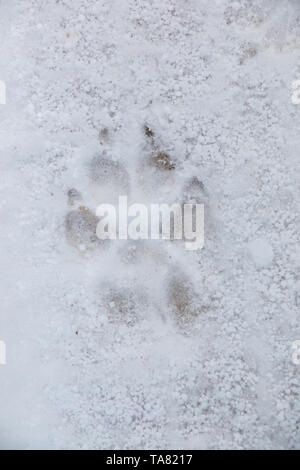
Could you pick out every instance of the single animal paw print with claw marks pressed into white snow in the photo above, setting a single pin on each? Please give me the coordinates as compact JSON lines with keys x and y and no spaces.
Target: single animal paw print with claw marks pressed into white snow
{"x":156,"y":170}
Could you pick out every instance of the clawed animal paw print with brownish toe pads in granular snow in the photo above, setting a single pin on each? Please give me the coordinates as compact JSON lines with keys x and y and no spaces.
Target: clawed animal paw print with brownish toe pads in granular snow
{"x":125,"y":301}
